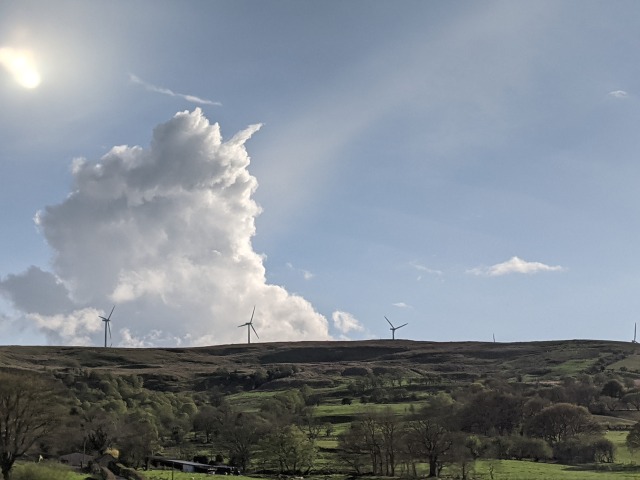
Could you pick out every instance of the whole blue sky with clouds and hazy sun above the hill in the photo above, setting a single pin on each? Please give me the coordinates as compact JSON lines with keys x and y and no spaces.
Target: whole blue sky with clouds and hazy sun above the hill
{"x":470,"y":169}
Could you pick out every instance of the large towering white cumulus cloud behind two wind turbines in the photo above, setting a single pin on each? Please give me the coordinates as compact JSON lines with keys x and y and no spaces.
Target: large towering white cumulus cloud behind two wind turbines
{"x":163,"y":233}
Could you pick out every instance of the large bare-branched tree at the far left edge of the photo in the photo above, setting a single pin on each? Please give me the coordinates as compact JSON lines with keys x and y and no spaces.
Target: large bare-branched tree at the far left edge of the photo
{"x":28,"y":411}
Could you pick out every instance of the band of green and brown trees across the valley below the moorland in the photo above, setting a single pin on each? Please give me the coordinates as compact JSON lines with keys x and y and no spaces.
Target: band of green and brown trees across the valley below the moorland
{"x":97,"y":412}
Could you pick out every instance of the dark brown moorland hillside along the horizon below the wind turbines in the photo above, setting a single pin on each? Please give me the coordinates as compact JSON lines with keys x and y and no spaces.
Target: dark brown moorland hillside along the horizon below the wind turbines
{"x":315,"y":362}
